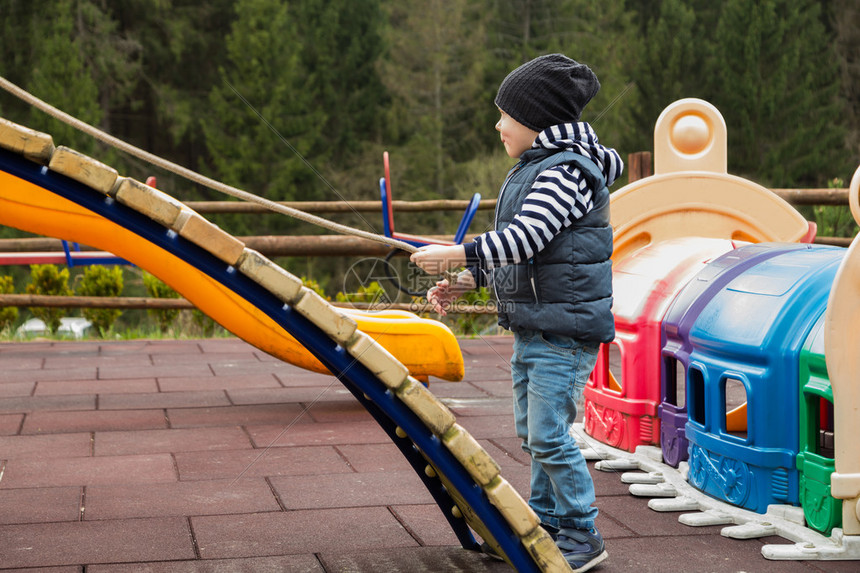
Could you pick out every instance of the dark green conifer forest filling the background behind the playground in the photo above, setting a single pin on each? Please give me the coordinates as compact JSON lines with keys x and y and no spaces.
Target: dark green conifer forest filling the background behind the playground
{"x":296,"y":100}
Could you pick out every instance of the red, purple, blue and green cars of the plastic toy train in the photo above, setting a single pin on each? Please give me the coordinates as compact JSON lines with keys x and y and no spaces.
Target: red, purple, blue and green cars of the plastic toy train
{"x":738,"y":385}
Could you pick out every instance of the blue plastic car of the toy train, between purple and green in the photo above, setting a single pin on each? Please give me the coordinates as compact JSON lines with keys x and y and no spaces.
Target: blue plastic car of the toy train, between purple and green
{"x":745,"y":348}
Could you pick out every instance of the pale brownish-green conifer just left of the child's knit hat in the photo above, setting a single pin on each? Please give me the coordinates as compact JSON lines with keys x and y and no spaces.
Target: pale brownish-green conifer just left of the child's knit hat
{"x":434,"y":75}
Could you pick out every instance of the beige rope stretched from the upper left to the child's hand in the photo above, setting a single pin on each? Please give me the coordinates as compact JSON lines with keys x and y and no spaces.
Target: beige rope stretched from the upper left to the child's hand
{"x":193,"y":175}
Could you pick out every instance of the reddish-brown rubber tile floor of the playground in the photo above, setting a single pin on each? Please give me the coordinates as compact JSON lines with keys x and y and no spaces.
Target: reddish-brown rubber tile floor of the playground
{"x":211,"y":456}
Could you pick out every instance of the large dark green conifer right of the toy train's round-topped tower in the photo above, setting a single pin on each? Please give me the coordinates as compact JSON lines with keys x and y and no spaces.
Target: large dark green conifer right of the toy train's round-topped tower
{"x":776,"y":82}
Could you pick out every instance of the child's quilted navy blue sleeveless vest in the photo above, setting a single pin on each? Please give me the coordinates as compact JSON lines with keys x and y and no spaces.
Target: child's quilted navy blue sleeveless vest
{"x":566,"y":288}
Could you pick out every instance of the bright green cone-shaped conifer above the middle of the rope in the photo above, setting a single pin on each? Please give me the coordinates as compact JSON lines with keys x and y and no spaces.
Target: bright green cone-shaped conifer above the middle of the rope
{"x":261,"y":126}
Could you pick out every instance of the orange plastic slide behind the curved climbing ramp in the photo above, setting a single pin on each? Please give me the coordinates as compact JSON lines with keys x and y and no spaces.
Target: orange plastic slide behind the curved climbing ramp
{"x":425,"y":347}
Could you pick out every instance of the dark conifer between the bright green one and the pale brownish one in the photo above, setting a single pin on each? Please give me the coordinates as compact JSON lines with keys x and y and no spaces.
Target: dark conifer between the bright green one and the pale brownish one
{"x":341,"y":43}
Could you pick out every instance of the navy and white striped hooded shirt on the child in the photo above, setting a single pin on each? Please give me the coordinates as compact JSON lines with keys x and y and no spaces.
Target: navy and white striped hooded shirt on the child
{"x":558,"y":197}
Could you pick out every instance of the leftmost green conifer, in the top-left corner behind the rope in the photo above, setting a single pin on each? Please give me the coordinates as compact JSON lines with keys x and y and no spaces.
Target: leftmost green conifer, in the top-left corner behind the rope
{"x":71,"y":54}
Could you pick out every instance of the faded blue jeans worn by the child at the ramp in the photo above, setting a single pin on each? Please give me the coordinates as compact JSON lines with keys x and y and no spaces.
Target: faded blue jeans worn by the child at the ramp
{"x":549,"y":374}
